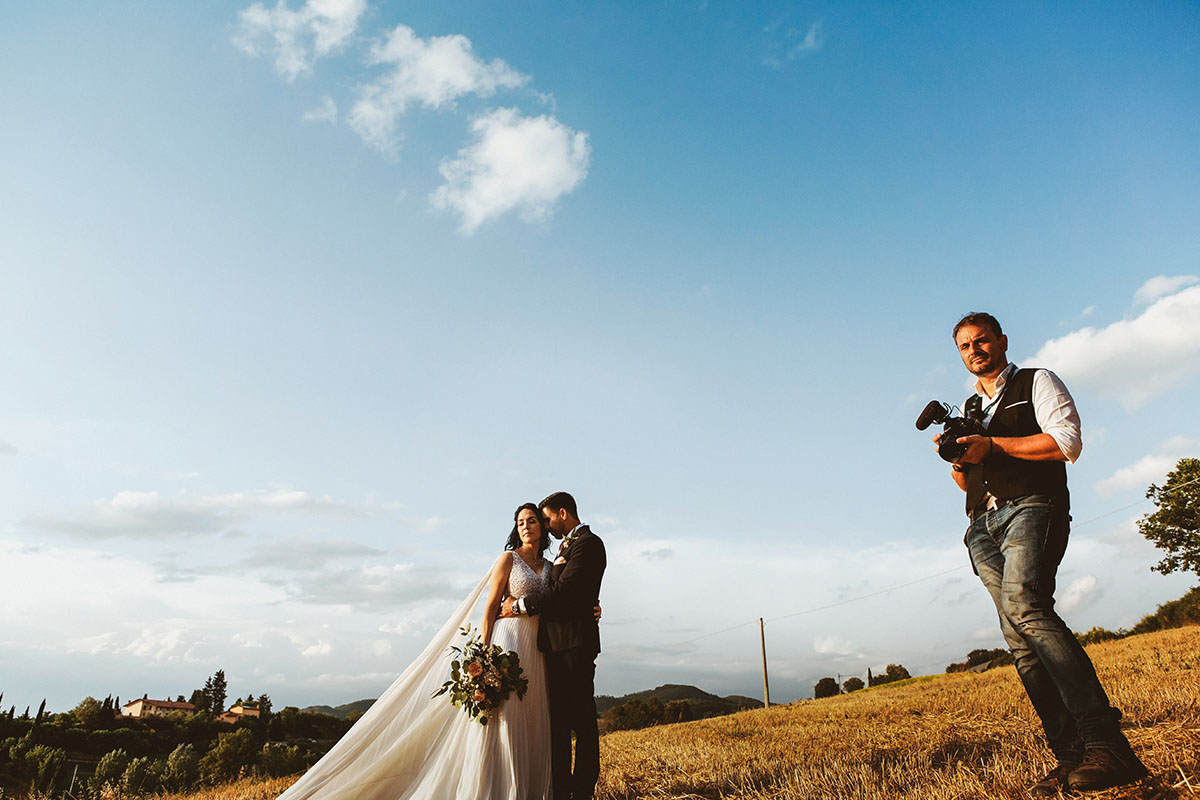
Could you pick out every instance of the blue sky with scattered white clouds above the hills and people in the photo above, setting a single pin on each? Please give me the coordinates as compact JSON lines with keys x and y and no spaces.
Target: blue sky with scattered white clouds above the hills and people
{"x":302,"y":300}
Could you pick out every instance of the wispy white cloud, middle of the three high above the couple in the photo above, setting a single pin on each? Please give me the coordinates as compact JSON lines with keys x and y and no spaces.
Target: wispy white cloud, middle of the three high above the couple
{"x":430,"y":73}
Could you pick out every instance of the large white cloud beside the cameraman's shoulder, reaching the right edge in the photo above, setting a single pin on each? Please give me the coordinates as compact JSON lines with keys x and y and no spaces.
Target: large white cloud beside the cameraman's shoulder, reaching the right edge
{"x":1133,"y":360}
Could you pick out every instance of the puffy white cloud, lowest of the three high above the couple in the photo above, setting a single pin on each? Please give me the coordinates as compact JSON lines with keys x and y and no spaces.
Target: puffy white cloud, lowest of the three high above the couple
{"x":515,"y":164}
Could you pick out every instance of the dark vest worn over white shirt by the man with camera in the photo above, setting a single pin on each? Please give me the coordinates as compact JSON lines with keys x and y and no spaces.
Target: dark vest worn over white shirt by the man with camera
{"x":1009,"y":478}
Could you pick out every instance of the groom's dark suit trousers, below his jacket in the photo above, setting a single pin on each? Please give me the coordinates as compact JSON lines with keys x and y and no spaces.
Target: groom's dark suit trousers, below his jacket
{"x":571,"y":676}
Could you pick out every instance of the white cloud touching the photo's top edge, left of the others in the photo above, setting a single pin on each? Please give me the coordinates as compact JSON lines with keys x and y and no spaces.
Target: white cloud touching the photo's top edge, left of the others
{"x":297,"y":39}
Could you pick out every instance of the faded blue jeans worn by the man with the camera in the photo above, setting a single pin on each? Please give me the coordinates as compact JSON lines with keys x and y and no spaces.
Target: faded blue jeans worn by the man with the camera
{"x":1016,"y":551}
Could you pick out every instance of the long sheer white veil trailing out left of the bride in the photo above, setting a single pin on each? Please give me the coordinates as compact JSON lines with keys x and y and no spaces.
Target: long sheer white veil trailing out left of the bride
{"x":410,"y":745}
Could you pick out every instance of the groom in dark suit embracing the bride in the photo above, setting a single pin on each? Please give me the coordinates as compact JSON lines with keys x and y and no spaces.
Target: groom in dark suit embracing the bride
{"x":571,"y":637}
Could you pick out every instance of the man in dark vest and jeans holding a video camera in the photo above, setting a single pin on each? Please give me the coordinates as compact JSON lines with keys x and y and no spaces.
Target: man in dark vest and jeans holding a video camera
{"x":1016,"y":482}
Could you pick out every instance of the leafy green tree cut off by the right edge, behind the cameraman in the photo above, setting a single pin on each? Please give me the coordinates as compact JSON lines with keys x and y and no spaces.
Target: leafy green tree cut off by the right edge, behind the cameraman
{"x":1175,"y":527}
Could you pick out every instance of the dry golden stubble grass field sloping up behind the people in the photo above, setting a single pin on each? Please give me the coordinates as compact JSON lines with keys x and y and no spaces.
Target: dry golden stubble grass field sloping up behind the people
{"x":959,"y":737}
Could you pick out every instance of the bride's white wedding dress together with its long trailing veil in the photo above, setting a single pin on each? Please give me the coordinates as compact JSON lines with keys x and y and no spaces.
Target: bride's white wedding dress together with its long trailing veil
{"x":411,"y":745}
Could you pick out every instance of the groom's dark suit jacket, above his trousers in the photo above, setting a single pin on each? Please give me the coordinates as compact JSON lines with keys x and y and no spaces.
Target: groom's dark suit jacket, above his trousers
{"x":567,"y":606}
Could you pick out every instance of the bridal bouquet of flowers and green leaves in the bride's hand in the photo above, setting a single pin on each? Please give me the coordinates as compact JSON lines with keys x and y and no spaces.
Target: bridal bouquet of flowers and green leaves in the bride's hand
{"x":483,"y":677}
